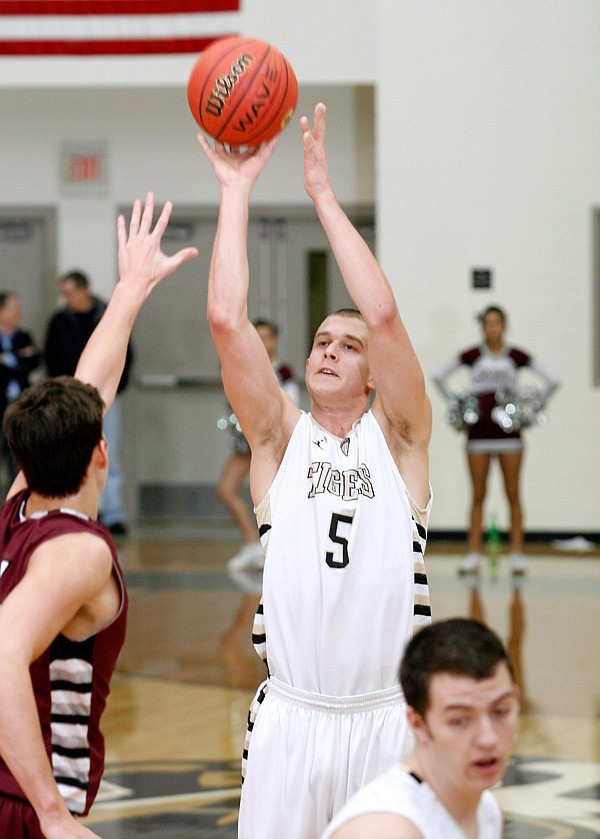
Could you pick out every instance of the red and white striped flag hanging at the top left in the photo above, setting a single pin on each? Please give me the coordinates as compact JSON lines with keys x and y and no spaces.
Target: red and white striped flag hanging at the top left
{"x":114,"y":27}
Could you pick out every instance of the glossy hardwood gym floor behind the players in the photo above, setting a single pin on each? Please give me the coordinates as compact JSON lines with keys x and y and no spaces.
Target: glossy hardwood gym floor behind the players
{"x":176,"y":716}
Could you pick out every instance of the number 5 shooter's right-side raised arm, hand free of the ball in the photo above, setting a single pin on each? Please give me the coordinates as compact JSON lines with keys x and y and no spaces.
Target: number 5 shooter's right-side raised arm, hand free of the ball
{"x":395,"y":369}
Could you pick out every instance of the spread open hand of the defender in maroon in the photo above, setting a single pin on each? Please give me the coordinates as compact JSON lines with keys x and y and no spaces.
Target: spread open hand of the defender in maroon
{"x":141,"y":259}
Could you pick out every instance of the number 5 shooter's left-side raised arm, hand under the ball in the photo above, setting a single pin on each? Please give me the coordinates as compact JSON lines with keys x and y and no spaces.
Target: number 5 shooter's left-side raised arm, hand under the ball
{"x":248,"y":376}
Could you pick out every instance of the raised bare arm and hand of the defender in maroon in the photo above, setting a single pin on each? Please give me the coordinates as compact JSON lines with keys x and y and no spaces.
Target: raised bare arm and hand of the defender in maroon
{"x":142,"y":265}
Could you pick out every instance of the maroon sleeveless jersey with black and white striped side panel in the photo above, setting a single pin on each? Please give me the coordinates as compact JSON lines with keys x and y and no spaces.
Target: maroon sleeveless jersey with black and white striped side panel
{"x":70,"y":679}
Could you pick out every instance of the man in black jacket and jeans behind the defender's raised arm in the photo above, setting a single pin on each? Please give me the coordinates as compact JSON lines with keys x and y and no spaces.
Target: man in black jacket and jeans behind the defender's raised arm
{"x":68,"y":332}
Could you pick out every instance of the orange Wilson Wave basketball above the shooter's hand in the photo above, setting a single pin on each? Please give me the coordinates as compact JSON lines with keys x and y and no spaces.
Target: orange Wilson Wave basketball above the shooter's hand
{"x":242,"y":91}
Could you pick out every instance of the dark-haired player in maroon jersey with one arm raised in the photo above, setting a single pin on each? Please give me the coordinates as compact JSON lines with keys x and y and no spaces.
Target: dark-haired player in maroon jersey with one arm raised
{"x":63,"y":602}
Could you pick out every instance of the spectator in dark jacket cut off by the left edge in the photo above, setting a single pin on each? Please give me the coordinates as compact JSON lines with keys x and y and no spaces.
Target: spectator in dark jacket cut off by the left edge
{"x":18,"y":358}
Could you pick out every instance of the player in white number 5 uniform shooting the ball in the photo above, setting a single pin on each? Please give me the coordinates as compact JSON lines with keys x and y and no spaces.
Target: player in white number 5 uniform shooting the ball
{"x":342,"y":501}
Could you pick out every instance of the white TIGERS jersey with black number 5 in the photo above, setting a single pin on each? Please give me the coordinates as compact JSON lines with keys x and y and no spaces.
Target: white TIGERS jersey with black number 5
{"x":344,"y":581}
